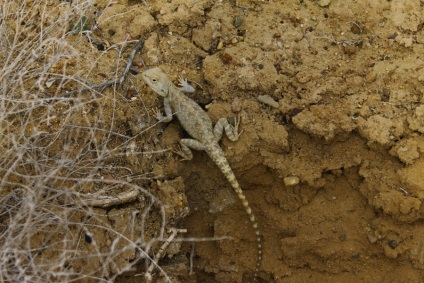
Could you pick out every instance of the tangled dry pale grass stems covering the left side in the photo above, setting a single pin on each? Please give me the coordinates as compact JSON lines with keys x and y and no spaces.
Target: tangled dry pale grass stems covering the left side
{"x":58,"y":153}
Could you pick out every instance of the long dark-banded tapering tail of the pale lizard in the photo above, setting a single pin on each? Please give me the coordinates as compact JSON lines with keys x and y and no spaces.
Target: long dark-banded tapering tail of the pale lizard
{"x":221,"y":161}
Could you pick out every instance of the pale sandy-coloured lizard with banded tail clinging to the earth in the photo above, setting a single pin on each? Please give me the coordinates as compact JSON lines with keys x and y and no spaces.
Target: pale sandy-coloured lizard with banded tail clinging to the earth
{"x":205,"y":137}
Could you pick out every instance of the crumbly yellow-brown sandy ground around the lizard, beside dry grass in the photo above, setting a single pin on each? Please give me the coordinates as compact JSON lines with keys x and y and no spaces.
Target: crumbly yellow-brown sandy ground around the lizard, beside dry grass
{"x":329,"y":92}
